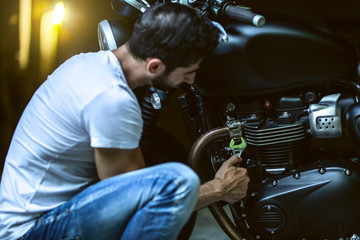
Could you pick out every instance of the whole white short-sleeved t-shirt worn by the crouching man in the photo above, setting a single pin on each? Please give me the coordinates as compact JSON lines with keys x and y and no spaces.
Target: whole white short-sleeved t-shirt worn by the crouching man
{"x":85,"y":104}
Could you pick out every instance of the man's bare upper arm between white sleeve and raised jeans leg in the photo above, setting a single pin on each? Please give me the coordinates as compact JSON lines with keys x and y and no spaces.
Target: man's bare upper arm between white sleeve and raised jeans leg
{"x":111,"y":162}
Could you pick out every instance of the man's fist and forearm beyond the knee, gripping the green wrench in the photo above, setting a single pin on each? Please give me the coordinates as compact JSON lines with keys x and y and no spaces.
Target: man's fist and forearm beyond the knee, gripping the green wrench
{"x":230,"y":184}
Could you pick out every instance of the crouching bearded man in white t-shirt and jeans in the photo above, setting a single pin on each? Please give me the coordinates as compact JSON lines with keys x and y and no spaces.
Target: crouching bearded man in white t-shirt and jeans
{"x":84,"y":125}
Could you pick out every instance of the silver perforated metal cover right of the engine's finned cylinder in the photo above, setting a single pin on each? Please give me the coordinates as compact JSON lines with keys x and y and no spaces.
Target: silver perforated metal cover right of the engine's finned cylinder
{"x":325,"y":117}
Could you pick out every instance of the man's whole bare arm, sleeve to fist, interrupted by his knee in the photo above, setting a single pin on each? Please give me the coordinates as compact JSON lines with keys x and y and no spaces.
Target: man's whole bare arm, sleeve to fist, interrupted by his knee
{"x":230,"y":183}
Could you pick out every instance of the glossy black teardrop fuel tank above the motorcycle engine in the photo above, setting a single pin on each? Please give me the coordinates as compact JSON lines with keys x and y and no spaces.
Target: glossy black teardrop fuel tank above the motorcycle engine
{"x":284,"y":54}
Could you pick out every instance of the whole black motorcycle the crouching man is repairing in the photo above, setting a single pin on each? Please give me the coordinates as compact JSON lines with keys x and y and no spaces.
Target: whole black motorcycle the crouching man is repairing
{"x":283,"y":95}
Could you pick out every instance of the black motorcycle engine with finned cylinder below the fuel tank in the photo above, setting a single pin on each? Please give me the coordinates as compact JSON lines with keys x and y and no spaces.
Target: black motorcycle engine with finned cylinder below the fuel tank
{"x":294,"y":192}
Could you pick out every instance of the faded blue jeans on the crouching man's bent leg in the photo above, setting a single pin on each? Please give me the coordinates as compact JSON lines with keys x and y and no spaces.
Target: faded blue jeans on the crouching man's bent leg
{"x":151,"y":203}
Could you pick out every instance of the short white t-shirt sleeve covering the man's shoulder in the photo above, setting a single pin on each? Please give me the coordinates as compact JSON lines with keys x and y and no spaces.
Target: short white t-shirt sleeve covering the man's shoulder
{"x":113,"y":119}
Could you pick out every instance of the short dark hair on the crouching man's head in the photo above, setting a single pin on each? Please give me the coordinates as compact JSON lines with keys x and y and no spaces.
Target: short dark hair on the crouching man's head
{"x":176,"y":34}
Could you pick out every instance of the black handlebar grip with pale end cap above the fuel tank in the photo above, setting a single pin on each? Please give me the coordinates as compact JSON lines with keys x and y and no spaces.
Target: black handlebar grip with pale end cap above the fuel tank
{"x":244,"y":15}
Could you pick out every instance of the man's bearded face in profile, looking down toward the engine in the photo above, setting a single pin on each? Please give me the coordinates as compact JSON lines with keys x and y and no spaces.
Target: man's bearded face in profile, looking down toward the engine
{"x":177,"y":77}
